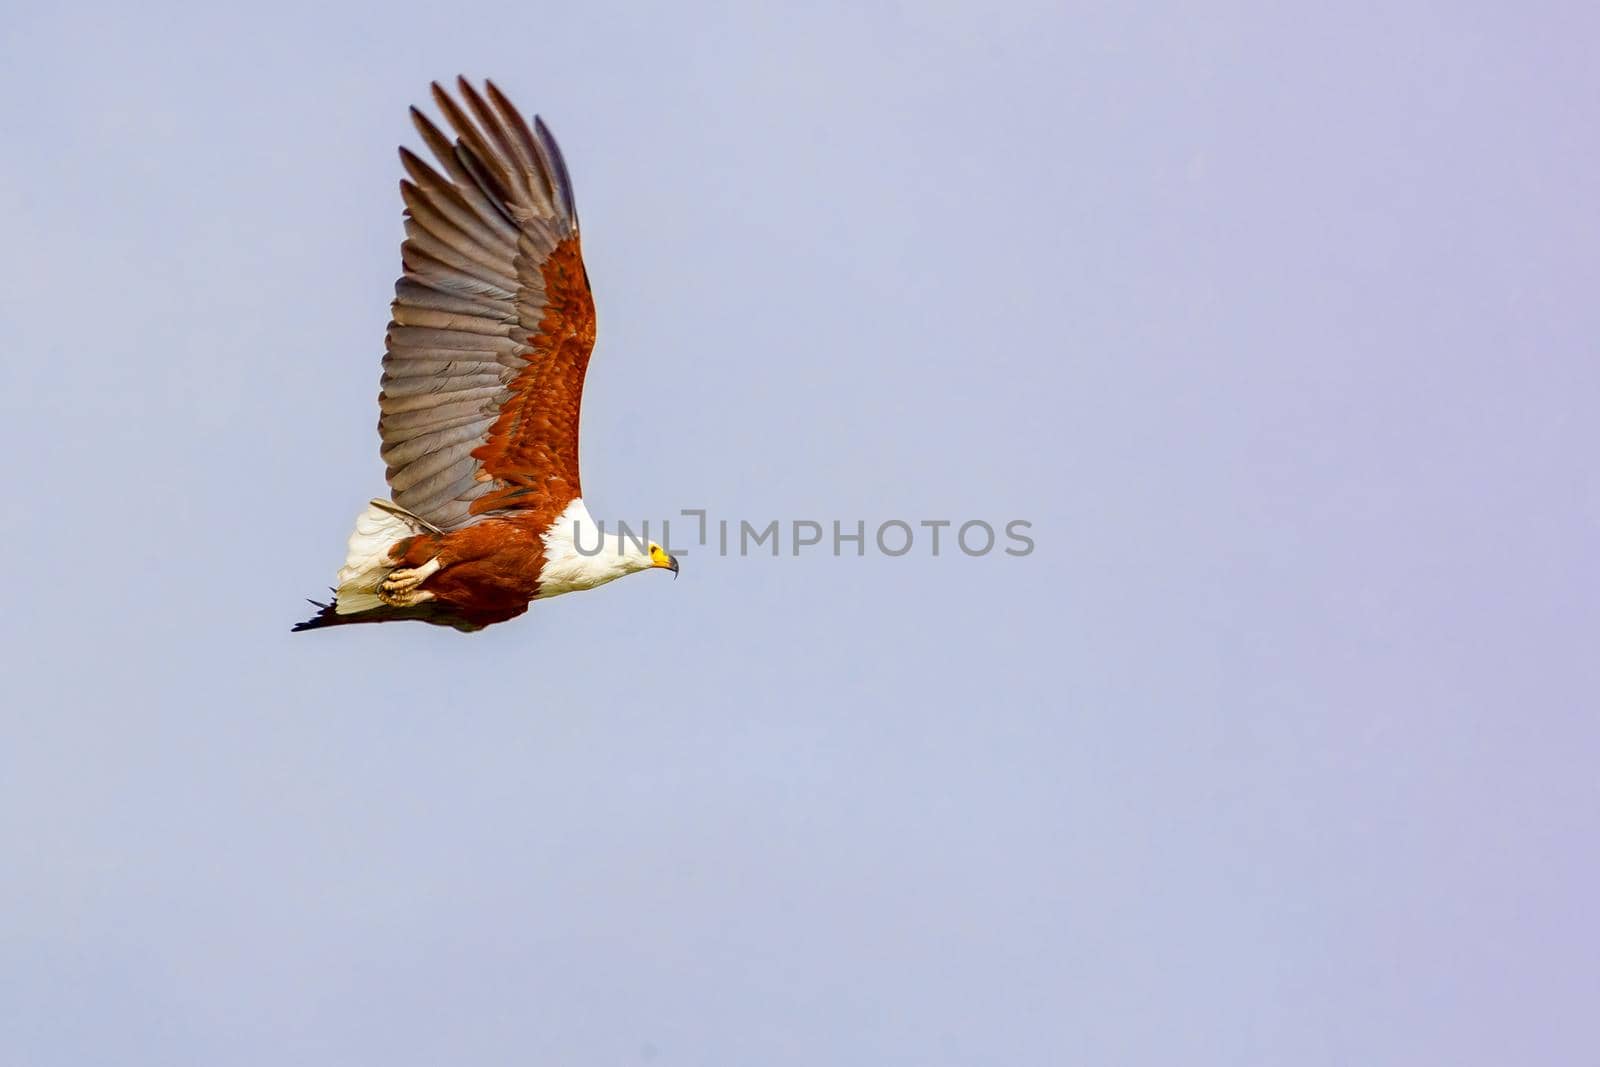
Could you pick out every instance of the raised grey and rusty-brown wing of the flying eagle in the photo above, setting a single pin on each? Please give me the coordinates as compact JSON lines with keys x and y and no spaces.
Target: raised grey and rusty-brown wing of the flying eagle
{"x":494,"y":321}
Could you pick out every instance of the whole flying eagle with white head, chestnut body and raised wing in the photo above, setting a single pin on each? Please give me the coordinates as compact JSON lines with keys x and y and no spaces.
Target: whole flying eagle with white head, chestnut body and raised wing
{"x":484,"y":372}
